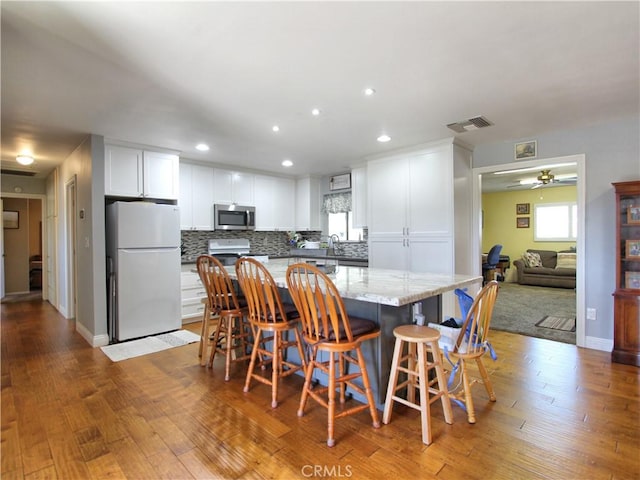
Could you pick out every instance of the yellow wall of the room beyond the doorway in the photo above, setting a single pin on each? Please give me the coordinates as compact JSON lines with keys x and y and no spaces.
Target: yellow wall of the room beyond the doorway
{"x":499,"y":223}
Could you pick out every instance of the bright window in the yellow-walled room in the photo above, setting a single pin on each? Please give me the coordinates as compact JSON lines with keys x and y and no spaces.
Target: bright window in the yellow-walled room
{"x":555,"y":222}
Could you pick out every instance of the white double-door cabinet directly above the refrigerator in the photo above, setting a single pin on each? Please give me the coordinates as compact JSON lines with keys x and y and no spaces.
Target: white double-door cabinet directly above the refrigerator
{"x":132,"y":172}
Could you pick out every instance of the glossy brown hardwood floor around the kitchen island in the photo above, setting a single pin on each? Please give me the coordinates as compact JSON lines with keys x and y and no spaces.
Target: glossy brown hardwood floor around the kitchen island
{"x":69,"y":412}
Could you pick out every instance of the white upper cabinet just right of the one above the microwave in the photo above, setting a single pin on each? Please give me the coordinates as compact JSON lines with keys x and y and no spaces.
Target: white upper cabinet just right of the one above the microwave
{"x":275,"y":202}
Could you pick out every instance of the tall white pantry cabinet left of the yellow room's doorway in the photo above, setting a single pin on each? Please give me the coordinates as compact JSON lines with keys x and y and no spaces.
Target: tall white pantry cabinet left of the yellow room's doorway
{"x":411,"y":214}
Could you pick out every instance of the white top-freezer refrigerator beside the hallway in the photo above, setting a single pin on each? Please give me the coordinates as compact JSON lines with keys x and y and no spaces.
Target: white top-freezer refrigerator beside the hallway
{"x":143,"y":261}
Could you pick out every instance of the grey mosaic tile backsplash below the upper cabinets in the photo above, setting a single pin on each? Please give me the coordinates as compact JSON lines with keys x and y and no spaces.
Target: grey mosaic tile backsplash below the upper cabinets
{"x":196,"y":242}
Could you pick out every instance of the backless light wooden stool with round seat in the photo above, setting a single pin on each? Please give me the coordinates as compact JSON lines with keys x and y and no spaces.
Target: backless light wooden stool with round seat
{"x":419,"y":341}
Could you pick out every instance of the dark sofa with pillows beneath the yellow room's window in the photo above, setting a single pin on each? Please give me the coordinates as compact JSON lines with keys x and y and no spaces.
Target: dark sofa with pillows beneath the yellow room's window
{"x":547,"y":268}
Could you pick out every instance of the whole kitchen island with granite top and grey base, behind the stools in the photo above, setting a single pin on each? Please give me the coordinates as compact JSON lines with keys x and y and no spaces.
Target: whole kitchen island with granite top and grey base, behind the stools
{"x":388,"y":297}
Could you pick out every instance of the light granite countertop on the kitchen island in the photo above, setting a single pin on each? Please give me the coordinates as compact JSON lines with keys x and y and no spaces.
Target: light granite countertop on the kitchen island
{"x":377,"y":285}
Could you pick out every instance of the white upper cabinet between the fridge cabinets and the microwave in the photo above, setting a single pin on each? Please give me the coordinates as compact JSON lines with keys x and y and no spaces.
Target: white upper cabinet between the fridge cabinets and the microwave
{"x":196,"y":197}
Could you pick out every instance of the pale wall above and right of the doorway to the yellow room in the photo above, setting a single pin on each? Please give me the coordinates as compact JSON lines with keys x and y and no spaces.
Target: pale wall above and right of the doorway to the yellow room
{"x":612,"y":152}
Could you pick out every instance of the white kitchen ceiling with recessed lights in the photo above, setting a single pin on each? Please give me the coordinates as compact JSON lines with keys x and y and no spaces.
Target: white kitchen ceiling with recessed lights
{"x":172,"y":74}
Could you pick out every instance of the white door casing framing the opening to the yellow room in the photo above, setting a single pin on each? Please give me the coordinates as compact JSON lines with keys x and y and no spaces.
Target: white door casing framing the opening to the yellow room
{"x":579,"y":161}
